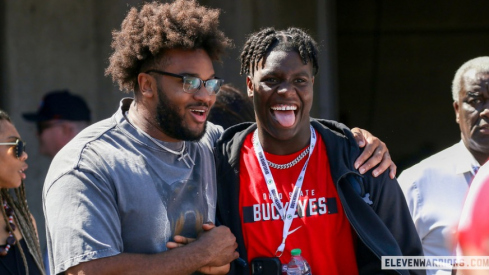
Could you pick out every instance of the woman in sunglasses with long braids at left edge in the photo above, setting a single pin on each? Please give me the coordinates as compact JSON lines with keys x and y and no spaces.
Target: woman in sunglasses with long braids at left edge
{"x":19,"y":245}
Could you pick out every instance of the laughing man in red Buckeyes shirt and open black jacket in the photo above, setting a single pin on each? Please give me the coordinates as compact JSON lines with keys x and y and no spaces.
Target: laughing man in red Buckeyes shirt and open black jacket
{"x":289,"y":181}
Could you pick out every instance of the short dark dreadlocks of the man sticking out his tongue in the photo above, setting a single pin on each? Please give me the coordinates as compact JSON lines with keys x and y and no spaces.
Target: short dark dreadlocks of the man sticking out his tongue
{"x":261,"y":43}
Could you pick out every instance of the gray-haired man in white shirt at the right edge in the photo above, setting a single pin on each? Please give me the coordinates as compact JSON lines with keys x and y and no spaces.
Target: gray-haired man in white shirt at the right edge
{"x":435,"y":188}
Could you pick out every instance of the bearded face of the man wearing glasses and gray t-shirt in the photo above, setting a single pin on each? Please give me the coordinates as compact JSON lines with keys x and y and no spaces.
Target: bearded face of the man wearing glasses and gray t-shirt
{"x":181,"y":115}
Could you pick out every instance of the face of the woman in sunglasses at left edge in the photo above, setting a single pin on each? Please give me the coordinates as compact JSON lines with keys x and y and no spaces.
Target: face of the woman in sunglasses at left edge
{"x":11,"y":168}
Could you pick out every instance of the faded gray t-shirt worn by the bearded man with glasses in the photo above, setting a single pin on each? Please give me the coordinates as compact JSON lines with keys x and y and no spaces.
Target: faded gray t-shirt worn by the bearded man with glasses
{"x":113,"y":190}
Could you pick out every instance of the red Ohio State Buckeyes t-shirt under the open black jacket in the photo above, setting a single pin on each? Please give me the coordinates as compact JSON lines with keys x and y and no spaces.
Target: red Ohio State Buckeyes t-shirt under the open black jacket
{"x":325,"y":235}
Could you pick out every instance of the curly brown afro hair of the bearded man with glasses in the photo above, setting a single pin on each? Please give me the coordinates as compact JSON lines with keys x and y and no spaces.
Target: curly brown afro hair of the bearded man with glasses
{"x":145,"y":34}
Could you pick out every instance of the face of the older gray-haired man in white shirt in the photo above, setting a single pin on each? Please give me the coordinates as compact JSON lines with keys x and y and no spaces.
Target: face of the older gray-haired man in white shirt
{"x":472,"y":113}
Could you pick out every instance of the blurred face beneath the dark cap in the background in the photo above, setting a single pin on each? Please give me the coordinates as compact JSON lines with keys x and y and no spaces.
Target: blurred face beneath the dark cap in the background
{"x":52,"y":136}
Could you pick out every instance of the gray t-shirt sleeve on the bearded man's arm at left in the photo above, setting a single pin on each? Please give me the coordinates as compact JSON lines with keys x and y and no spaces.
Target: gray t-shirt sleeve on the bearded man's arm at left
{"x":82,"y":220}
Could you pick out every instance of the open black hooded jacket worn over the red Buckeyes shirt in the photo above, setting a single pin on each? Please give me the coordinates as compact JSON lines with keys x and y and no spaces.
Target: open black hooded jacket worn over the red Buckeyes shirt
{"x":384,"y":228}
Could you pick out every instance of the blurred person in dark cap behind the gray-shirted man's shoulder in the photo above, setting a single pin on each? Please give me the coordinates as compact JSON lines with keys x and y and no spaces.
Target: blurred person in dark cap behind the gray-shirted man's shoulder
{"x":60,"y":117}
